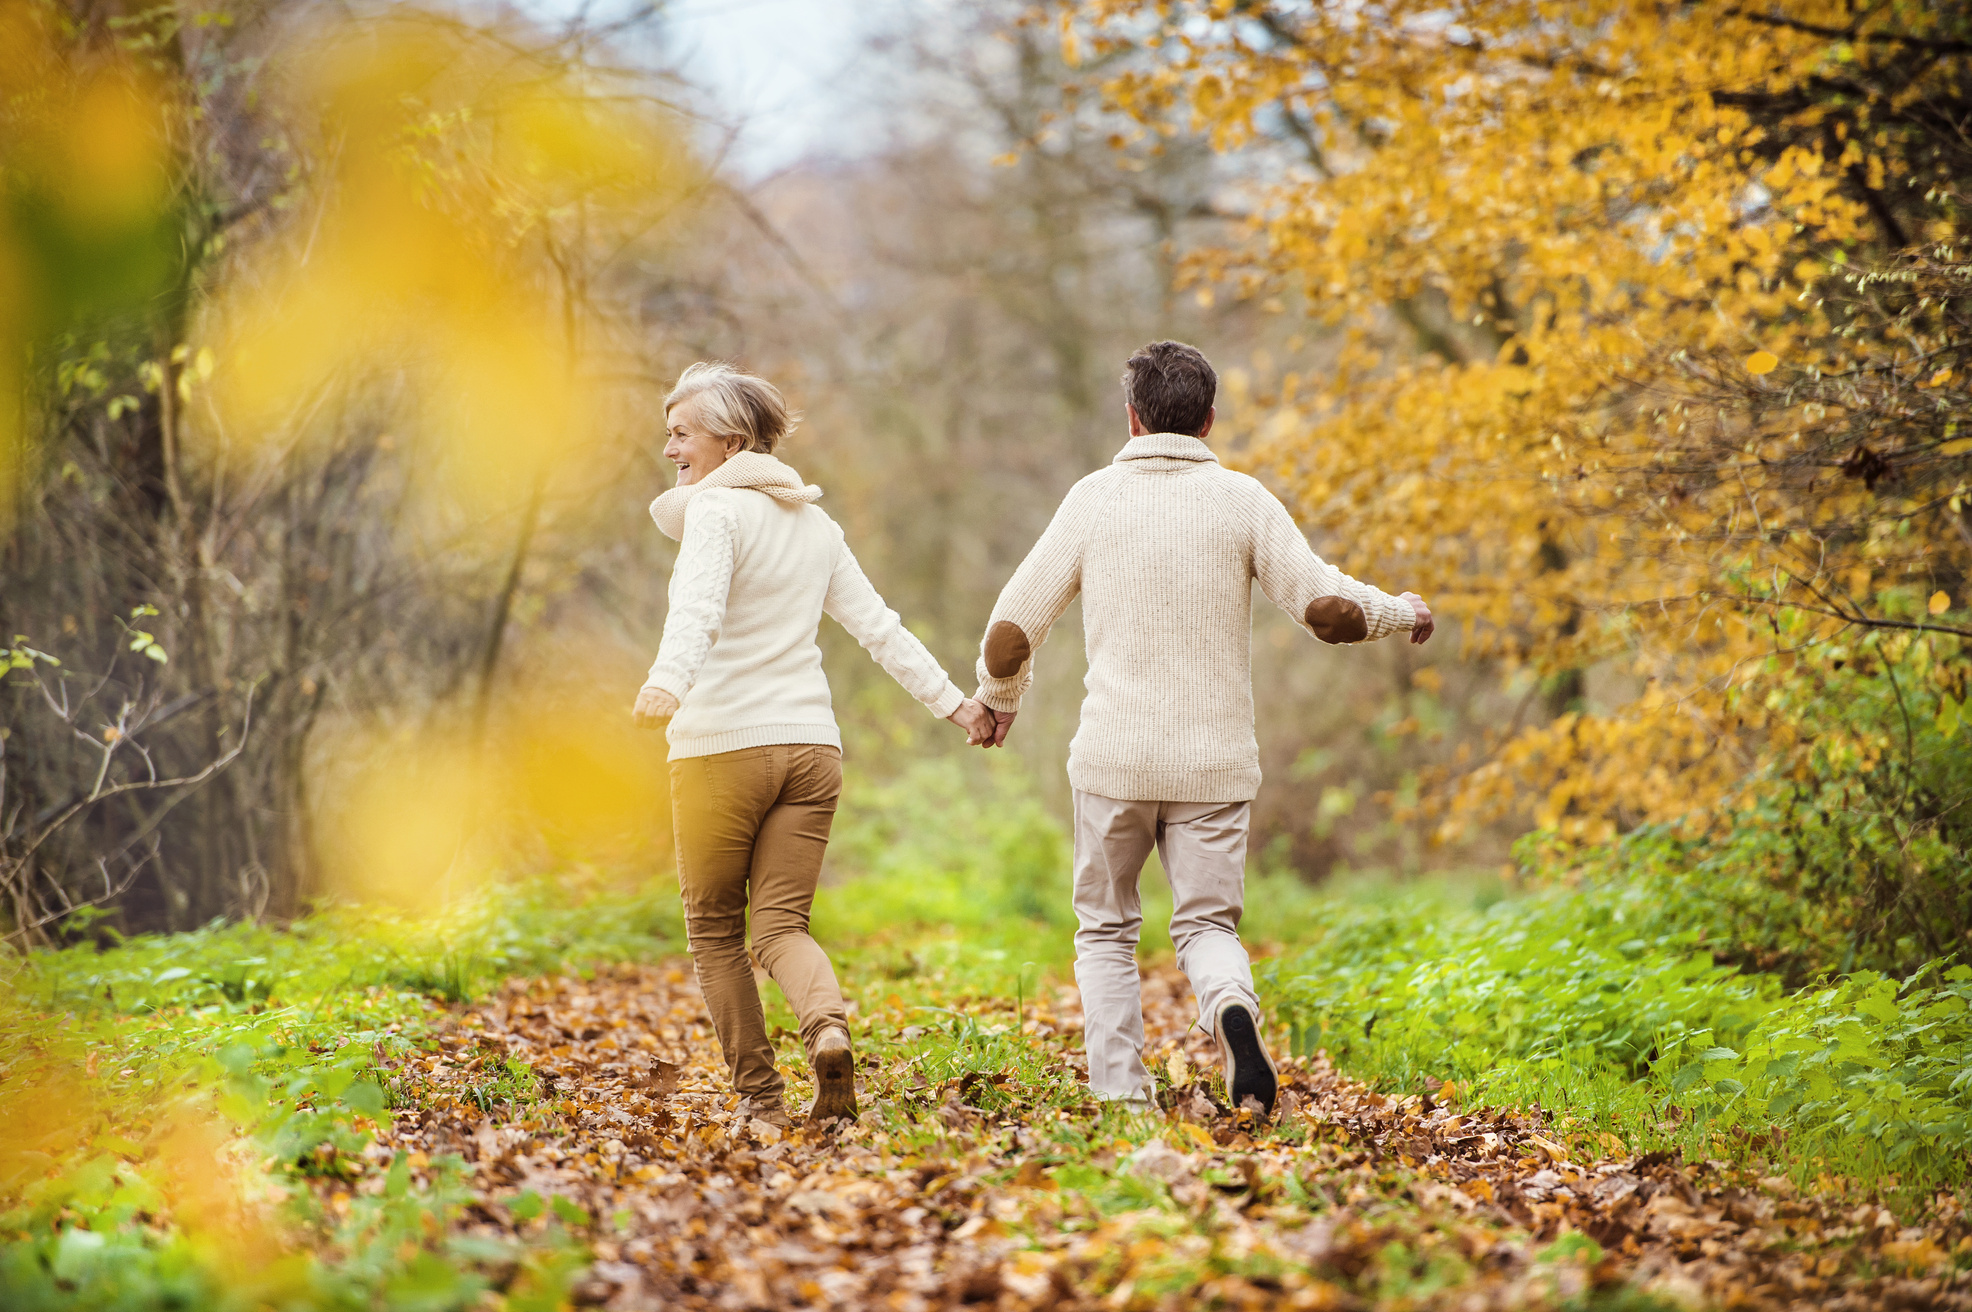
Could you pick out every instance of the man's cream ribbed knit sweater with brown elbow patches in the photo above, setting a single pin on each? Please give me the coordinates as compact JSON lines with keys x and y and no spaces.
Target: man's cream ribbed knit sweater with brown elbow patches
{"x":1164,"y":547}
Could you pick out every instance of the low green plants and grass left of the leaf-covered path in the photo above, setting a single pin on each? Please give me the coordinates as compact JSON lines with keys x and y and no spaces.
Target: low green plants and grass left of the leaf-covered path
{"x":131,"y":1068}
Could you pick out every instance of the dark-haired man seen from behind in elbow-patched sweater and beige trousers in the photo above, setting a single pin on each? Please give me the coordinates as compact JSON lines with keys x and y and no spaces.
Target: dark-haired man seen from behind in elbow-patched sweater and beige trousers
{"x":1164,"y":546}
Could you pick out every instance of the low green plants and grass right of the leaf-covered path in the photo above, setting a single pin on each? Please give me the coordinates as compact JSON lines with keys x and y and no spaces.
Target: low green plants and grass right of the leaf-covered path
{"x":1585,"y":1005}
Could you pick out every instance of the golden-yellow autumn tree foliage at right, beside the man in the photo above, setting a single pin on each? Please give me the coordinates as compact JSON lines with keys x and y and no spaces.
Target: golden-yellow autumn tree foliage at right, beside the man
{"x":1636,"y":303}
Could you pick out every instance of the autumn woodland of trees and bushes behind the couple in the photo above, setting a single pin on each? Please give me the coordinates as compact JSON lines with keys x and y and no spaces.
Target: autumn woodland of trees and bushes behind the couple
{"x":1634,"y":336}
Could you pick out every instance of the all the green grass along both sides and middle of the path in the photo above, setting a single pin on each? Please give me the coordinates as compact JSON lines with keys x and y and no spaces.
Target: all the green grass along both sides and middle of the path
{"x":133,"y":1064}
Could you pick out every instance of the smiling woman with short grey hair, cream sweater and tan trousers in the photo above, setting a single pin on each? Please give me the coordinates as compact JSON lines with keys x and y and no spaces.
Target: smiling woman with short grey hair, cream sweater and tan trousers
{"x":756,"y":759}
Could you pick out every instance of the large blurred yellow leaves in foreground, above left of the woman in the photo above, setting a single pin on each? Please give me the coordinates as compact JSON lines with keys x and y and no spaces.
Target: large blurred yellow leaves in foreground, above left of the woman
{"x":457,"y":179}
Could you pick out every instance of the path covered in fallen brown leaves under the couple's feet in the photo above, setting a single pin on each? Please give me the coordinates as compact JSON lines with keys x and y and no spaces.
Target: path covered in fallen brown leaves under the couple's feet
{"x":981,"y":1177}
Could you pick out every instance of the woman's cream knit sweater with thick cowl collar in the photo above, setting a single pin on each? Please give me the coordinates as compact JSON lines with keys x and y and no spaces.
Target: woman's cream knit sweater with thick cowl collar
{"x":758,"y":569}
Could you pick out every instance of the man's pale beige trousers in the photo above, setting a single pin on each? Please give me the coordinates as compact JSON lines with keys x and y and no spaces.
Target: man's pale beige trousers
{"x":1204,"y":851}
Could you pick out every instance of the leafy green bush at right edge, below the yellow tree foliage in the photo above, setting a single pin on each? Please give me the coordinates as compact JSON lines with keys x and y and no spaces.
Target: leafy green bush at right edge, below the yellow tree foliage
{"x":1851,"y":861}
